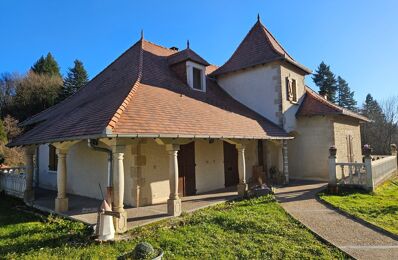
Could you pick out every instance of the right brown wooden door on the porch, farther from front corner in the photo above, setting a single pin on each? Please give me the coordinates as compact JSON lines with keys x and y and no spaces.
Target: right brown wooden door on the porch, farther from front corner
{"x":230,"y":165}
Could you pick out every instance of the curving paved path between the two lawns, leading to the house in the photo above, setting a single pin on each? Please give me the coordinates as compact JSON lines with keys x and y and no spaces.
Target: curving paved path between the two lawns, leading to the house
{"x":361,"y":242}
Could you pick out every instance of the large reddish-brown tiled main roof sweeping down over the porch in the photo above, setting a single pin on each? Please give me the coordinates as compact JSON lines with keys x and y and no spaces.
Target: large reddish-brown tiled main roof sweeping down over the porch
{"x":138,"y":94}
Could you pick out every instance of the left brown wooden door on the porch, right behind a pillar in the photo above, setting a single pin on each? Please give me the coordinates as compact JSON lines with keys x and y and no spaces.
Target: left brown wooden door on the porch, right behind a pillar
{"x":186,"y":170}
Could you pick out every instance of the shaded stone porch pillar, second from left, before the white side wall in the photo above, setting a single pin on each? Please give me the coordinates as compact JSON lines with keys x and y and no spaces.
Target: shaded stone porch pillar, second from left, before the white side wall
{"x":61,"y":202}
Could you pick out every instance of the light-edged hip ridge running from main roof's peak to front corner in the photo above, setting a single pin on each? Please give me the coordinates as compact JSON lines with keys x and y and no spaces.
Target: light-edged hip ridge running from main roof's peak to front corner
{"x":115,"y":118}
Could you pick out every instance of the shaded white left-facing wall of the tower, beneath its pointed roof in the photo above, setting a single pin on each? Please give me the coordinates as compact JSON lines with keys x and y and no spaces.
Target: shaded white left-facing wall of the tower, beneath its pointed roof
{"x":258,"y":88}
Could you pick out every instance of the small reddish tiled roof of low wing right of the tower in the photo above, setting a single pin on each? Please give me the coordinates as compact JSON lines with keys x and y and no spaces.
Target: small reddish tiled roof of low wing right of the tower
{"x":315,"y":105}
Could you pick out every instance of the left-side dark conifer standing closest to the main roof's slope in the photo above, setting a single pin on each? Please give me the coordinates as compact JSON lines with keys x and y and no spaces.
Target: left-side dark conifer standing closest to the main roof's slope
{"x":77,"y":77}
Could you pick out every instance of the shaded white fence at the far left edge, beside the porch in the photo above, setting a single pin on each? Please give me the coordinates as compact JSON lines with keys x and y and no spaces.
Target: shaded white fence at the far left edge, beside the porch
{"x":13,"y":181}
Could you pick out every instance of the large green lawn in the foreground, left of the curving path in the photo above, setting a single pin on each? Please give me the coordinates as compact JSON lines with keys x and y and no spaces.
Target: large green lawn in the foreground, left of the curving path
{"x":248,"y":229}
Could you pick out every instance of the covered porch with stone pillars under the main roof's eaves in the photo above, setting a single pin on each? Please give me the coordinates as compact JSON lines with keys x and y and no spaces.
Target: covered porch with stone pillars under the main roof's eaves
{"x":150,"y":178}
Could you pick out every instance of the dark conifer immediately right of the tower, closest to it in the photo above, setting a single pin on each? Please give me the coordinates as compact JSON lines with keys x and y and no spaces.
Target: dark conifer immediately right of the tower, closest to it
{"x":326,"y":81}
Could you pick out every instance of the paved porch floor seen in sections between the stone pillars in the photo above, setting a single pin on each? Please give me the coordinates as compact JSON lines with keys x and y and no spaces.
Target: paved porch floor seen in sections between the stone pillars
{"x":85,"y":209}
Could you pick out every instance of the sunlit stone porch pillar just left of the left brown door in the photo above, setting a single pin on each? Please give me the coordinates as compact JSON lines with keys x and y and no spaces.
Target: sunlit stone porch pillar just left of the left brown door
{"x":174,"y":202}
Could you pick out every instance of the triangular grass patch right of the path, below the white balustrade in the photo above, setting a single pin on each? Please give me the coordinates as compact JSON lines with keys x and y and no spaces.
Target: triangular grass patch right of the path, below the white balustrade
{"x":379,"y":208}
